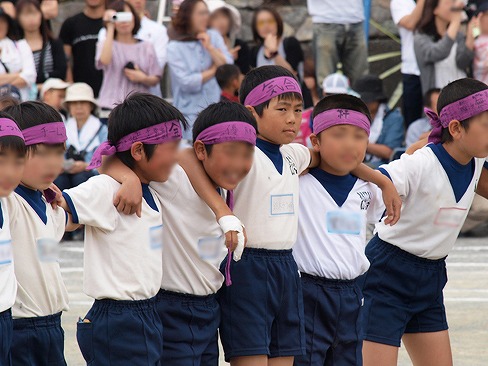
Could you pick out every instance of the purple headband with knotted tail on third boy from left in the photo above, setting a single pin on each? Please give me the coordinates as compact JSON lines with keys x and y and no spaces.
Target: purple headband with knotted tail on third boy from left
{"x":157,"y":134}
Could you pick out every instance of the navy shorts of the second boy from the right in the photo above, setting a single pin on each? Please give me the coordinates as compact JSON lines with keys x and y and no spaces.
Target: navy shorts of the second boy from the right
{"x":332,"y":322}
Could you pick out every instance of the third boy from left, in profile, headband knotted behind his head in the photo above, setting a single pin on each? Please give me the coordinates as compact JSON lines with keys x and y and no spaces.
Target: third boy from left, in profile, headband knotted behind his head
{"x":122,"y":264}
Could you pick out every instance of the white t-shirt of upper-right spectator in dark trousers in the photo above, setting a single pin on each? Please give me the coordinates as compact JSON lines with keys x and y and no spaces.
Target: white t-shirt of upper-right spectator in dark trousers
{"x":399,"y":9}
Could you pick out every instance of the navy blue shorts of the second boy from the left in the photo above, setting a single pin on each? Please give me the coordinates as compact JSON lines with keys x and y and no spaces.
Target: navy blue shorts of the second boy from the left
{"x":38,"y":341}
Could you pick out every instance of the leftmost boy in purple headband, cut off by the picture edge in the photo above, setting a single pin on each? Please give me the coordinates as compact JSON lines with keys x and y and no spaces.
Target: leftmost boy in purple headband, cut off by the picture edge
{"x":12,"y":160}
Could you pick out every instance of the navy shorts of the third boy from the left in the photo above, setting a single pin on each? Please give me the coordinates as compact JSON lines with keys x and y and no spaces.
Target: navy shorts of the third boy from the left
{"x":121,"y":333}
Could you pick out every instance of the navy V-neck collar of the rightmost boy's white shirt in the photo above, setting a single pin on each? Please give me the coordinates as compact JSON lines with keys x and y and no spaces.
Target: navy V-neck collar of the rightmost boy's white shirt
{"x":459,"y":175}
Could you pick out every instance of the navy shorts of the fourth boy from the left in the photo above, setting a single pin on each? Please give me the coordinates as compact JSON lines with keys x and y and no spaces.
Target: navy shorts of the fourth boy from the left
{"x":190,"y":329}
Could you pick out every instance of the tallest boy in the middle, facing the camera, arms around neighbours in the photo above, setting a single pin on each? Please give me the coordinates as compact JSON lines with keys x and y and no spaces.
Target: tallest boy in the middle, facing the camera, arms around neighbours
{"x":262,"y":312}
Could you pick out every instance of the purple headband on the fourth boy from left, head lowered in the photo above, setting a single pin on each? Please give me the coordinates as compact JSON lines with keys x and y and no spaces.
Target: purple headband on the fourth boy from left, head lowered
{"x":228,"y":131}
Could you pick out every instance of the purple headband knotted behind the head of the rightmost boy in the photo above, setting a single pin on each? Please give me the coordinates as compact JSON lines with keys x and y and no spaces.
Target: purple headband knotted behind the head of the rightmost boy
{"x":460,"y":110}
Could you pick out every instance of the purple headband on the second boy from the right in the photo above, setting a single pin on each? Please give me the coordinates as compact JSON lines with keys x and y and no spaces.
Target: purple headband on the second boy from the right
{"x":335,"y":117}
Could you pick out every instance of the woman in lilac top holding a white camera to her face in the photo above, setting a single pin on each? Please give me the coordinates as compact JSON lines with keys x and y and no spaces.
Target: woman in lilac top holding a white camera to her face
{"x":128,"y":64}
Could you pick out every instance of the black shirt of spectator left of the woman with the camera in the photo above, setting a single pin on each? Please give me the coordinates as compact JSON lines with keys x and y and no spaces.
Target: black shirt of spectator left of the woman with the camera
{"x":81,"y":33}
